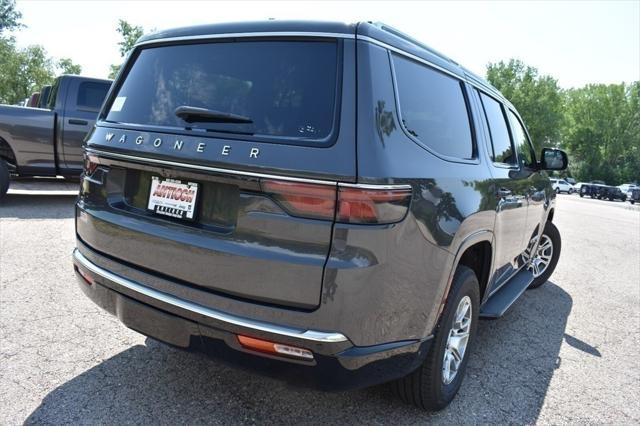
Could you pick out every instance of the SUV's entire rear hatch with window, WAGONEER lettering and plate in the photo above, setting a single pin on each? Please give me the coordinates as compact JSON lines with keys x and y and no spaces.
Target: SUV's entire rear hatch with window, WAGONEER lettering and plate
{"x":214,"y":164}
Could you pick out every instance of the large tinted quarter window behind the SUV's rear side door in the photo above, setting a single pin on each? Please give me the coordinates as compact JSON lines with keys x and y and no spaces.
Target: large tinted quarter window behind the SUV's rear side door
{"x":433,"y":109}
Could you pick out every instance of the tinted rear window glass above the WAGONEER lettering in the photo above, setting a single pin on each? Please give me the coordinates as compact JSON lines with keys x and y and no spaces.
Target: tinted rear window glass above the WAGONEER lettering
{"x":286,"y":88}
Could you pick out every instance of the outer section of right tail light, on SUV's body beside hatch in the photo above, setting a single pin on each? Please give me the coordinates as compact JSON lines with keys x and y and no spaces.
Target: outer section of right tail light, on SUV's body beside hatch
{"x":369,"y":205}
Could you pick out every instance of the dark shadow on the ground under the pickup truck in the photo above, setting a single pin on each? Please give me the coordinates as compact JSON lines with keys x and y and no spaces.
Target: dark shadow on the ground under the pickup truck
{"x":38,"y":206}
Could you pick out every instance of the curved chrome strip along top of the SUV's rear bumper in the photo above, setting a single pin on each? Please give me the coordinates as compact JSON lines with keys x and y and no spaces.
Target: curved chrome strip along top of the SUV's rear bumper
{"x":310,"y":335}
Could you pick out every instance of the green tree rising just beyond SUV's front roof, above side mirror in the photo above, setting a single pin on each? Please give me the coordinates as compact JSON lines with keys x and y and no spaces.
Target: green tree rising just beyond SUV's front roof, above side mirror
{"x":537,"y":98}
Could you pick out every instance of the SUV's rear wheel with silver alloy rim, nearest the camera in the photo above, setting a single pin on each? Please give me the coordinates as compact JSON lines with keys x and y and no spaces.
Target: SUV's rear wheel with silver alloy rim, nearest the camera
{"x":437,"y":381}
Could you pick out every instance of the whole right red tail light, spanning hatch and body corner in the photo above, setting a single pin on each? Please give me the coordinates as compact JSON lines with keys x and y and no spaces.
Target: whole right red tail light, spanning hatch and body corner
{"x":346,"y":203}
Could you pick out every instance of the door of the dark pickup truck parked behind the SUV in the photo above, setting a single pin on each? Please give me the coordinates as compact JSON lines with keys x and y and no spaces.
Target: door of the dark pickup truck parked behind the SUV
{"x":82,"y":105}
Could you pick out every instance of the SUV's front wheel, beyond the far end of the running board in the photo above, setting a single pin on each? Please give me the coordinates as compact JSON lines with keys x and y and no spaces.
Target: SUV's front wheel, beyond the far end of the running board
{"x":545,"y":258}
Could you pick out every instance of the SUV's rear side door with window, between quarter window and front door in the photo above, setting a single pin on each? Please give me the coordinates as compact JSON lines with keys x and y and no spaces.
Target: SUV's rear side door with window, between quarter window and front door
{"x":511,"y":191}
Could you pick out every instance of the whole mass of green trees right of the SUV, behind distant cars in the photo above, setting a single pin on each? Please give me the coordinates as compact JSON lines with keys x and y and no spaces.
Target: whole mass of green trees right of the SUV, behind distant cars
{"x":598,"y":125}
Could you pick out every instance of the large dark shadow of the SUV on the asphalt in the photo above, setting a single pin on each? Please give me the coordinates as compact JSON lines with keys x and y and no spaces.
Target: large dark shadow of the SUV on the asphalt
{"x":507,"y":380}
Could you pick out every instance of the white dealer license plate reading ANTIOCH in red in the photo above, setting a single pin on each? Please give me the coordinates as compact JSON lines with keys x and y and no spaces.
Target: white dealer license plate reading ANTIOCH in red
{"x":173,"y":198}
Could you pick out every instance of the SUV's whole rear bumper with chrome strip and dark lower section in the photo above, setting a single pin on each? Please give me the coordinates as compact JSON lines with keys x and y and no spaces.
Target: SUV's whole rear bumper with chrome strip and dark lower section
{"x":337,"y":363}
